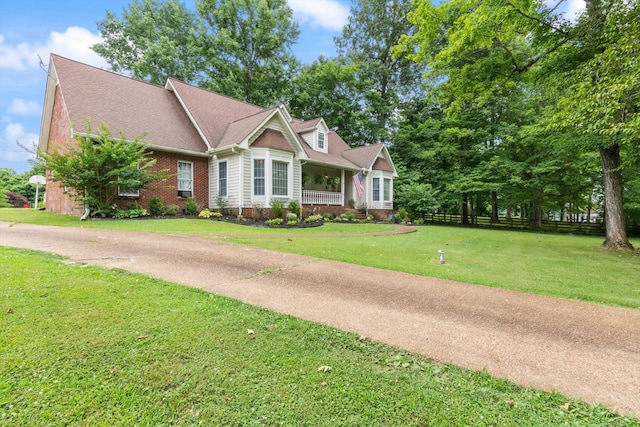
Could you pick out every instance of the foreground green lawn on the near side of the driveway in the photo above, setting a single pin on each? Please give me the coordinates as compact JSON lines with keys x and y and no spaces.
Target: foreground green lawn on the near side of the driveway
{"x":83,"y":345}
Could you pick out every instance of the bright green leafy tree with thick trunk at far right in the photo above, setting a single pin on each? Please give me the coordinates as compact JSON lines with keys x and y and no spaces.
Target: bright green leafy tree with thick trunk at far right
{"x":592,"y":67}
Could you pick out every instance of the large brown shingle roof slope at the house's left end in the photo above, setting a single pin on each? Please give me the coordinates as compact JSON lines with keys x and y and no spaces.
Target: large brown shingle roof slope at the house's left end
{"x":124,"y":104}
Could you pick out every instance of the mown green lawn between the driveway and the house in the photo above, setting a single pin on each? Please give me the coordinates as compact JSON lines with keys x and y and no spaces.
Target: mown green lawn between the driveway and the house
{"x":562,"y":266}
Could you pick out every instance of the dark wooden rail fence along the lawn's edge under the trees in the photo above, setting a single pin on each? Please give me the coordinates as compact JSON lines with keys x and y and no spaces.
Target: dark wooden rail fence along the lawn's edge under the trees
{"x":583,"y":228}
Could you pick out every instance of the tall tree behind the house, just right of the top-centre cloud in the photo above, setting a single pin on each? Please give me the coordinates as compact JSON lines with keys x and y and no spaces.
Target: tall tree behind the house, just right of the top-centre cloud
{"x":374,"y":27}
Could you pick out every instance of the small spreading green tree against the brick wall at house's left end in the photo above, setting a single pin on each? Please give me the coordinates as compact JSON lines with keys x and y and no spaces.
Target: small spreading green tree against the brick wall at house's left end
{"x":97,"y":166}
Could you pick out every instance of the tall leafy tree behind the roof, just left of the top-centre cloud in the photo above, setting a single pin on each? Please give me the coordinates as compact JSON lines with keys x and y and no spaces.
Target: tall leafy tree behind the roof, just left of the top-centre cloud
{"x":249,"y":43}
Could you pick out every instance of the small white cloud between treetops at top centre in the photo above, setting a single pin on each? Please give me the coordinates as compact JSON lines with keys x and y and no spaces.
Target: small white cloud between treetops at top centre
{"x":329,"y":14}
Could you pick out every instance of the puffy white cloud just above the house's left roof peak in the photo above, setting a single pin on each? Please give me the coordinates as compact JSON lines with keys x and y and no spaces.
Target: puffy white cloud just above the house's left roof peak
{"x":75,"y":43}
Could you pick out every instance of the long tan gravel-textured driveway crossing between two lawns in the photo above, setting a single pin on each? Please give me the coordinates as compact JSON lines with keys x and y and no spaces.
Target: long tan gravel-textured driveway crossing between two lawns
{"x":582,"y":350}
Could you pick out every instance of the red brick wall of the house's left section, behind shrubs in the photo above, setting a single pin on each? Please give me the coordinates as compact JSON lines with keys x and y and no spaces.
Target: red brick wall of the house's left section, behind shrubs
{"x":59,"y":202}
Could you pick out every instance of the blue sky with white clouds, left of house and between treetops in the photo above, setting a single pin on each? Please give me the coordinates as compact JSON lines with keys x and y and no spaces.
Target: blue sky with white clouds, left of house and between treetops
{"x":29,"y":28}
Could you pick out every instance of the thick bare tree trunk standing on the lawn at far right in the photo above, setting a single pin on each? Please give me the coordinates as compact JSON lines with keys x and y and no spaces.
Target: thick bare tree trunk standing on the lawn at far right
{"x":616,"y":234}
